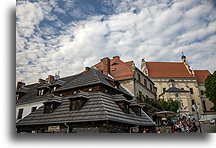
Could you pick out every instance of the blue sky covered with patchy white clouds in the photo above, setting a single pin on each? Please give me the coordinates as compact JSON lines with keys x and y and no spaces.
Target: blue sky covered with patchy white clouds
{"x":69,"y":35}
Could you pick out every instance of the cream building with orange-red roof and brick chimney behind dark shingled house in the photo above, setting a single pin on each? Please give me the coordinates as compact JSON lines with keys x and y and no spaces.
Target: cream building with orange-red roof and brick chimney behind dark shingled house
{"x":127,"y":74}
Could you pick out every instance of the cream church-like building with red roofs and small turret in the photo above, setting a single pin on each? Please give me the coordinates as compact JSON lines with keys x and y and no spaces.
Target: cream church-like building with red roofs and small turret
{"x":177,"y":80}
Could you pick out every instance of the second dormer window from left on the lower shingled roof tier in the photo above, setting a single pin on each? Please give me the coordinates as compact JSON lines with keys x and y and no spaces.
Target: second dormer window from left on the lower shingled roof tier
{"x":77,"y":101}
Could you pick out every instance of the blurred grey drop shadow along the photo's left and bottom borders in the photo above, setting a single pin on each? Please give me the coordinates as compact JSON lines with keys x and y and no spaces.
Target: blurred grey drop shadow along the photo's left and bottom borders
{"x":15,"y":137}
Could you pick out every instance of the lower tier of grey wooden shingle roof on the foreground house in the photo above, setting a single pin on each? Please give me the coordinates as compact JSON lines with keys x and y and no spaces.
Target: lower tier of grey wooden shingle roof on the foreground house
{"x":99,"y":107}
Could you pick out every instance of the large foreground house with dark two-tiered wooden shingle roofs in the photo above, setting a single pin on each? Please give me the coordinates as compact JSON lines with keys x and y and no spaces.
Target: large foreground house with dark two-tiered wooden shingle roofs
{"x":89,"y":102}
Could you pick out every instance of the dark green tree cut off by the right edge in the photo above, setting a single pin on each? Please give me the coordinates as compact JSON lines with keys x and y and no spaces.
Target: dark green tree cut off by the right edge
{"x":210,"y":89}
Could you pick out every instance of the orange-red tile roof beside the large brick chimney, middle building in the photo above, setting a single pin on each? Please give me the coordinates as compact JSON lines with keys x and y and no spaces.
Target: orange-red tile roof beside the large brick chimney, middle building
{"x":118,"y":69}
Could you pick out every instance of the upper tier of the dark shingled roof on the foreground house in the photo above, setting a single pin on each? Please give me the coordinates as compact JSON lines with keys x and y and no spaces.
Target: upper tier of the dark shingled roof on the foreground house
{"x":90,"y":77}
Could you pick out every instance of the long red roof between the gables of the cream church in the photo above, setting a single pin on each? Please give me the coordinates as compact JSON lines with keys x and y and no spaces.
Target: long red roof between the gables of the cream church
{"x":168,"y":69}
